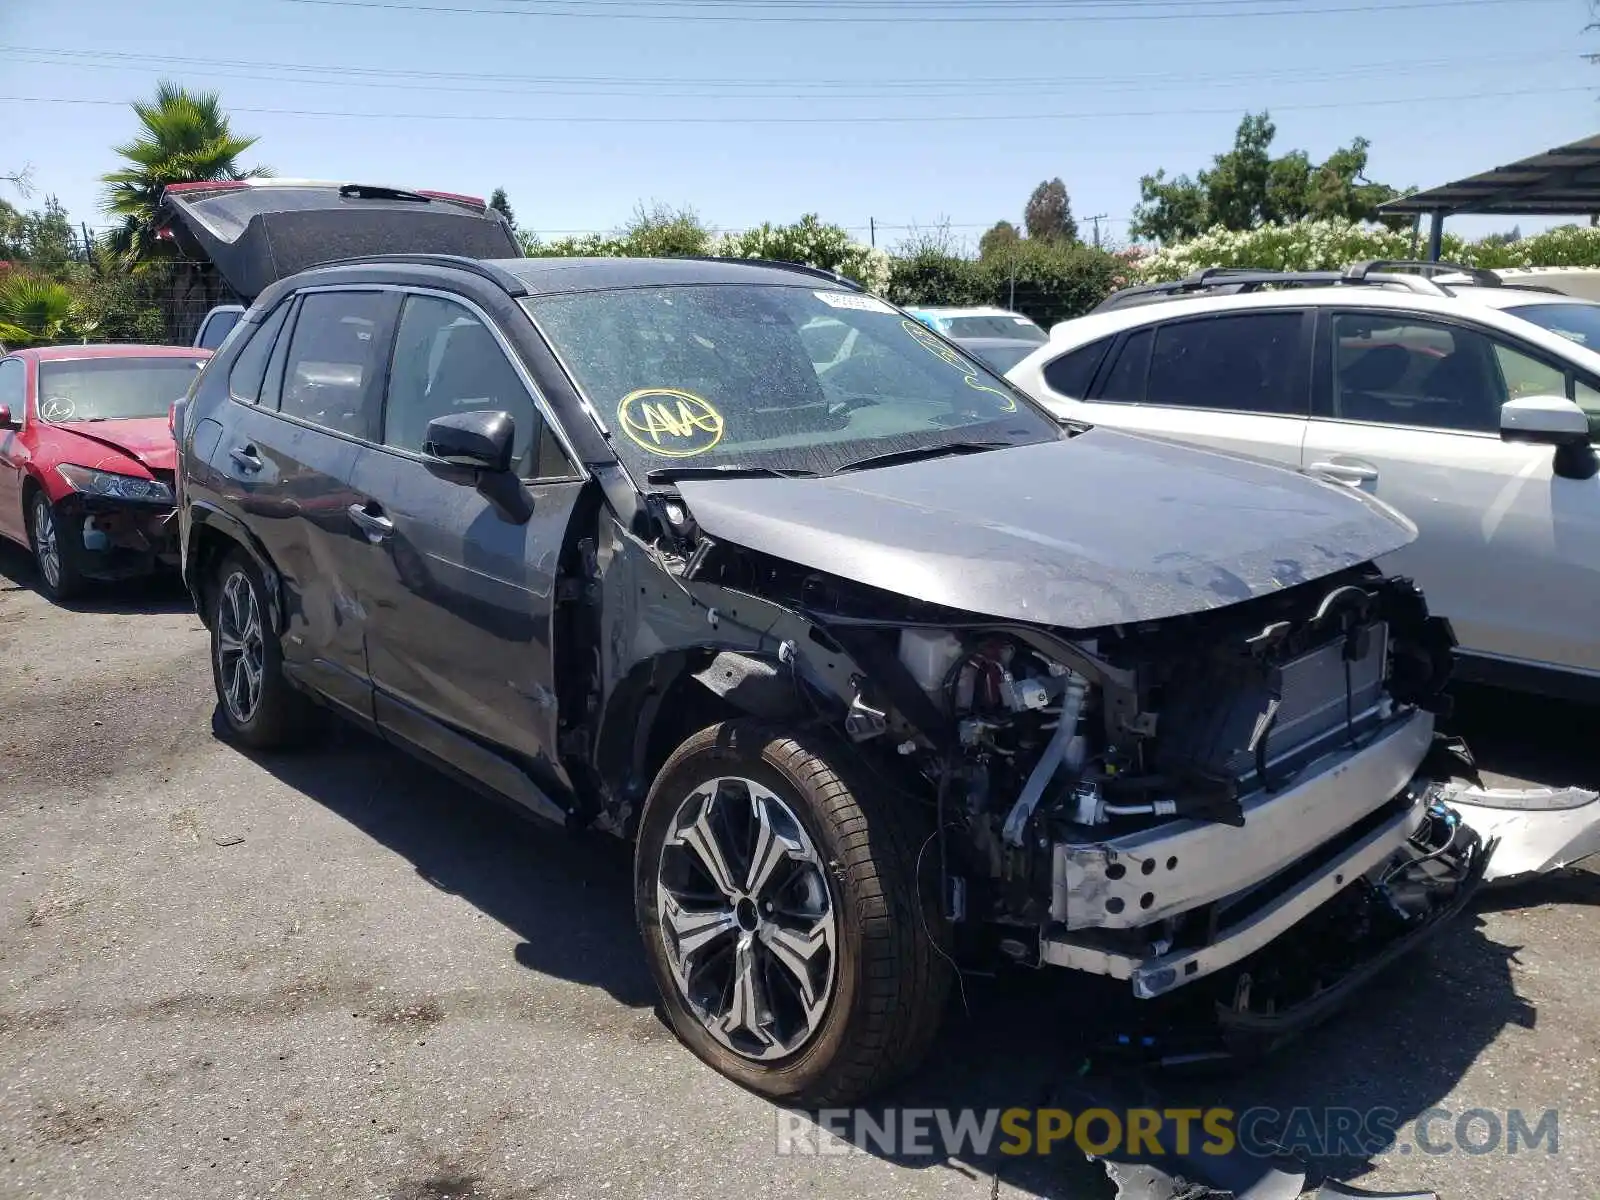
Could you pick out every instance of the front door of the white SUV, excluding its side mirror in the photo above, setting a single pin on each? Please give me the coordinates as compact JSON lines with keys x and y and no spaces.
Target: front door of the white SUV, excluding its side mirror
{"x":1409,"y":410}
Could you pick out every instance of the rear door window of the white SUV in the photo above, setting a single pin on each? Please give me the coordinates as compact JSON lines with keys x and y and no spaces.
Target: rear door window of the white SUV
{"x":1244,"y":364}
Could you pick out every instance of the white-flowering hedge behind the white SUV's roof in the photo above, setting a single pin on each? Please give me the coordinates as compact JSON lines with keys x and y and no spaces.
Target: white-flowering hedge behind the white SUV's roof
{"x":1329,"y":246}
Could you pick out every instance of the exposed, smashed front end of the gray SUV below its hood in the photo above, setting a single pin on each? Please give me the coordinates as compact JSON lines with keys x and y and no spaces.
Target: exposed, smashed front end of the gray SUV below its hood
{"x":1244,"y":798}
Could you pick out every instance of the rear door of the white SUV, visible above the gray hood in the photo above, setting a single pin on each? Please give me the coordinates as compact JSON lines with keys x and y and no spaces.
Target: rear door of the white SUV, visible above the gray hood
{"x":1233,"y":382}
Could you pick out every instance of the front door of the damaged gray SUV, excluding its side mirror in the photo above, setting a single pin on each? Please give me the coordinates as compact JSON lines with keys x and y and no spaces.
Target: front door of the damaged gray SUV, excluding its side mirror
{"x":458,"y":578}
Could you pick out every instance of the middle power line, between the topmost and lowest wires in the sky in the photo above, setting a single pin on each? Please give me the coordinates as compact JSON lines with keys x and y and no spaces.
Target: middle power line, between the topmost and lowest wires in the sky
{"x":370,"y":78}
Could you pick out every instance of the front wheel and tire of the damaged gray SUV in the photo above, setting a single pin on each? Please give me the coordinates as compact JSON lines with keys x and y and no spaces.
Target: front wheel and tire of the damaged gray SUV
{"x":842,"y":1002}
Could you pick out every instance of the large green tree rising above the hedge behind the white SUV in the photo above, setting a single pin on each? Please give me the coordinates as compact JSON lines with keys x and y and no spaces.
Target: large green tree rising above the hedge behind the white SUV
{"x":1247,"y":188}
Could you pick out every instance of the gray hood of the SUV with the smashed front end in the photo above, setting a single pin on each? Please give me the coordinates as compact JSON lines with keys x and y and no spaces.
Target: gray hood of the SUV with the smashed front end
{"x":1087,"y":532}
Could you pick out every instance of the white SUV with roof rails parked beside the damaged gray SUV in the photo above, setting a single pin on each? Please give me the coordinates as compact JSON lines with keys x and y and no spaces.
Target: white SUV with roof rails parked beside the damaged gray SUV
{"x":1466,"y":404}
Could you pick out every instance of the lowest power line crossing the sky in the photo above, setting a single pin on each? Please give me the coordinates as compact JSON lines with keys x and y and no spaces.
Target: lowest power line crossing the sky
{"x":874,"y":119}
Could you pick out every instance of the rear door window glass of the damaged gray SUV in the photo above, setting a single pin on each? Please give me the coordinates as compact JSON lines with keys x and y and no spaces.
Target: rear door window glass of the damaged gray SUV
{"x":332,"y":359}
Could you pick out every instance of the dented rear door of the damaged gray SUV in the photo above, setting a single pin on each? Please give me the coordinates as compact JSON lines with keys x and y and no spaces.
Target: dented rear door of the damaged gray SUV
{"x":300,"y":415}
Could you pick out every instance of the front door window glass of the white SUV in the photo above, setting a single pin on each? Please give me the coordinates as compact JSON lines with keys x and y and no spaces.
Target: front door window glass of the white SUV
{"x":1406,"y":372}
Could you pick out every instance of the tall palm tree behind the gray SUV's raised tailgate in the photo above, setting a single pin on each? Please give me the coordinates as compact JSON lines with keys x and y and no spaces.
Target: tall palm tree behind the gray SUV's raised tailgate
{"x":186,"y":138}
